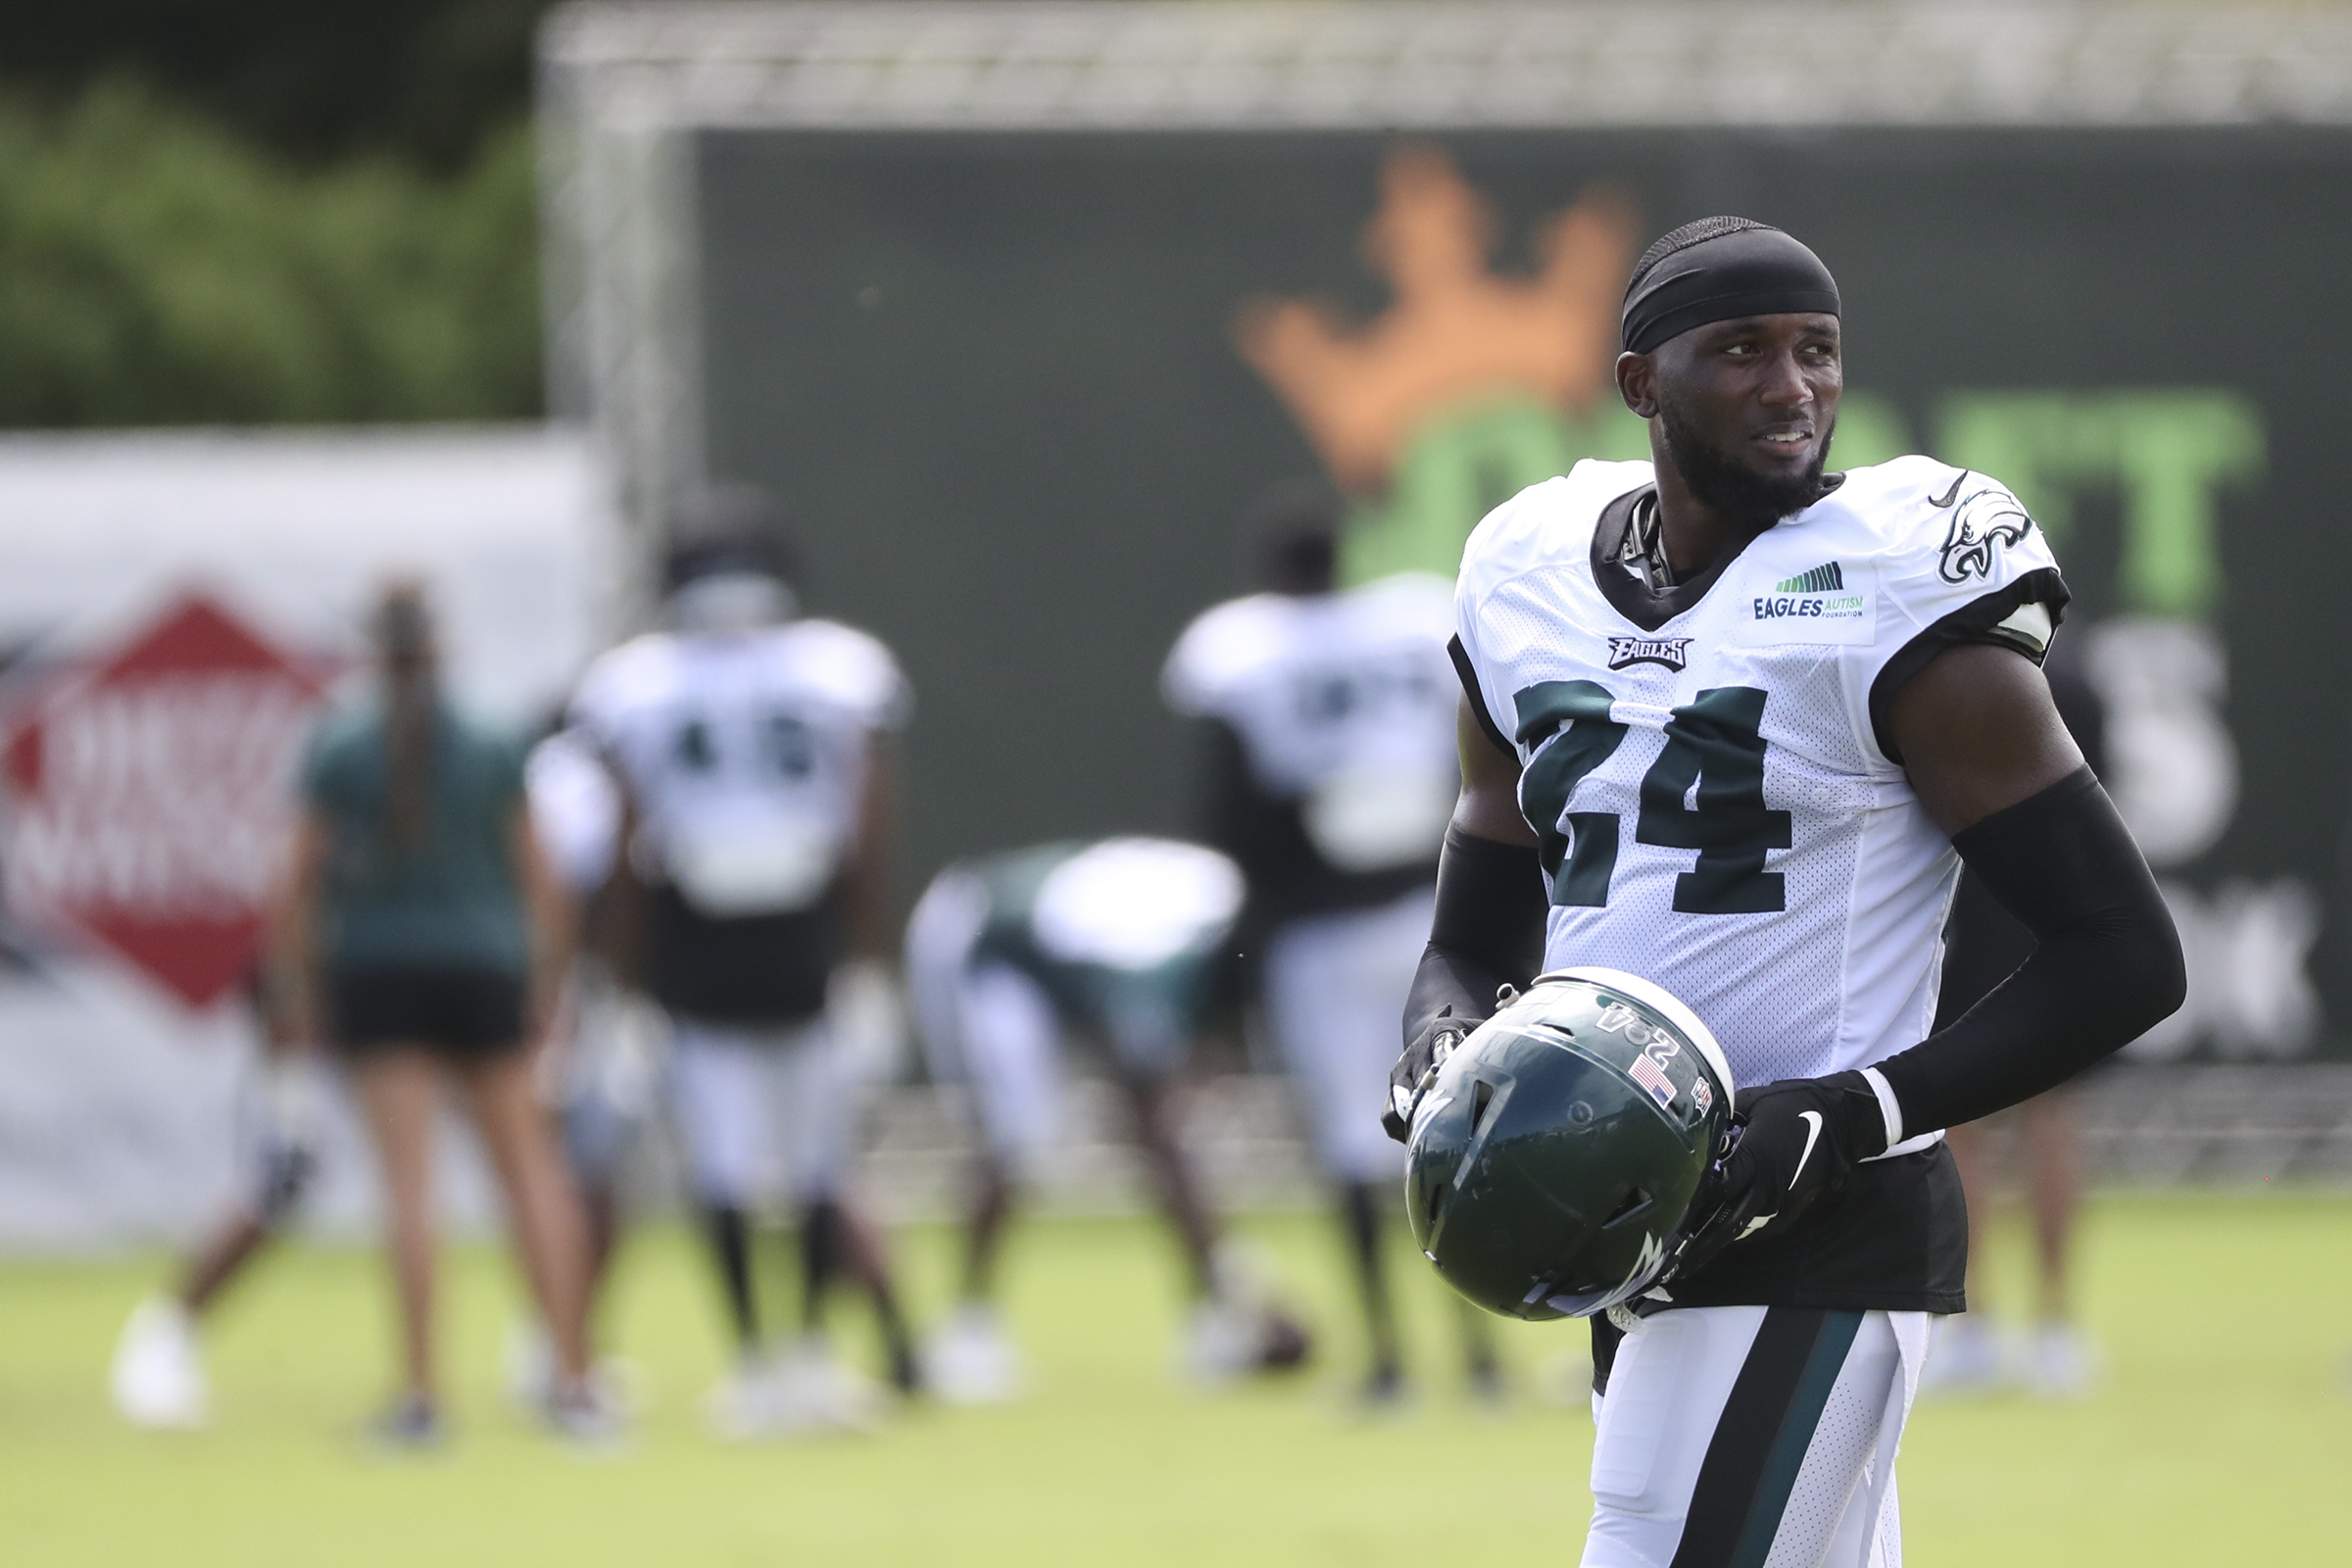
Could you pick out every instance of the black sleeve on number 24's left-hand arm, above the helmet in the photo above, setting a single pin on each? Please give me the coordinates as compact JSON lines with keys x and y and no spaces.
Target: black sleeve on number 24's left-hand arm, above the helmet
{"x":1488,"y":932}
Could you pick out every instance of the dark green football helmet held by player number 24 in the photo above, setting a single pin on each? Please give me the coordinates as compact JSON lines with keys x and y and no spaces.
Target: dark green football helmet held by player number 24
{"x":1553,"y":1160}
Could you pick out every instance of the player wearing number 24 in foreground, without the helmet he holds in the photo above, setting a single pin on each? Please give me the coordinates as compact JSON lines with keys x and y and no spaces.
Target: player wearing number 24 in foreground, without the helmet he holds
{"x":1732,"y":725}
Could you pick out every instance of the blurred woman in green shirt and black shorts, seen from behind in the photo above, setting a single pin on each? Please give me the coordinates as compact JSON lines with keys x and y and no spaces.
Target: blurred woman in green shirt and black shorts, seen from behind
{"x":422,"y":934}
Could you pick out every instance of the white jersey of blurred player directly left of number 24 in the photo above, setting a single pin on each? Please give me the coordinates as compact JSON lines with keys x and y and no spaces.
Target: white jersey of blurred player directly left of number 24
{"x":1344,"y":704}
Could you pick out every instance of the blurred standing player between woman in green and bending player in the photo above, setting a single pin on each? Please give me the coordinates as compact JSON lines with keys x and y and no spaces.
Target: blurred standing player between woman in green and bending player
{"x":754,"y":753}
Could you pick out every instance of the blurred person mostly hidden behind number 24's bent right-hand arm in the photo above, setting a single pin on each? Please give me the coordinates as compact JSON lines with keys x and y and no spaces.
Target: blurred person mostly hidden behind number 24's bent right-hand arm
{"x":1984,"y":946}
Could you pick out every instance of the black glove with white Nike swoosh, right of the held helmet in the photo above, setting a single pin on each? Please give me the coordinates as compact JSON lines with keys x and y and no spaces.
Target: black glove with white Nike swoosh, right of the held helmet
{"x":1789,"y":1144}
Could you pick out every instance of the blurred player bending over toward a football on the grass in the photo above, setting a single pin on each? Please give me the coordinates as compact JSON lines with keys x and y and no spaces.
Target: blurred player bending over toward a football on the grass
{"x":1118,"y":946}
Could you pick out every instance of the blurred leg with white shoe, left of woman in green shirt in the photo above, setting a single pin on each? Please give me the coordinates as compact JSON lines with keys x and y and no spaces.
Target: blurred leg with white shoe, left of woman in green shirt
{"x":159,"y":1372}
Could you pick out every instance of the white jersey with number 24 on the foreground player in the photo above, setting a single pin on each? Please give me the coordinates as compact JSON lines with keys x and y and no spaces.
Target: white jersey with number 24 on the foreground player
{"x":1709,"y":768}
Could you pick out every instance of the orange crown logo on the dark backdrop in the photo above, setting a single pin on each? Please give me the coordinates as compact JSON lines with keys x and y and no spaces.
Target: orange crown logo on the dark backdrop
{"x":1457,"y":330}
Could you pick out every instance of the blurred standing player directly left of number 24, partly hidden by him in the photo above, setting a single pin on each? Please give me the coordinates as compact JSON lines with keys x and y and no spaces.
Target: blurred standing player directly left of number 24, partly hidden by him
{"x":1332,"y":775}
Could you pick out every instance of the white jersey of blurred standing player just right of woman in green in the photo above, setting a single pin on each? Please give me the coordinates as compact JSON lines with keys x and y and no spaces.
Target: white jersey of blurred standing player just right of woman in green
{"x":744,"y":753}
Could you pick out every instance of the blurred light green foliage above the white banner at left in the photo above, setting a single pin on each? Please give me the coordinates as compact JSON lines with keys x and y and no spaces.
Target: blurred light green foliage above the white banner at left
{"x":156,"y":269}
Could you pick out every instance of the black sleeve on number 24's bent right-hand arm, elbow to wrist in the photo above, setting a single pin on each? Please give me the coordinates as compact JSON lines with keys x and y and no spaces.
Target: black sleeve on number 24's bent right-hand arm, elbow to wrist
{"x":2104,"y":972}
